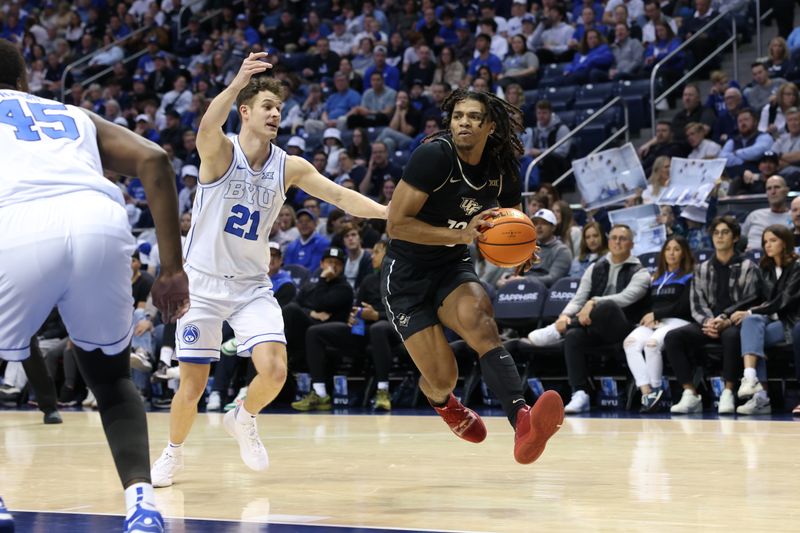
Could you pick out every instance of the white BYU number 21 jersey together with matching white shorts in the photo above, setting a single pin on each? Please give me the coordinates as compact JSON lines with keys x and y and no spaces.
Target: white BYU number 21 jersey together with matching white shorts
{"x":227,"y":258}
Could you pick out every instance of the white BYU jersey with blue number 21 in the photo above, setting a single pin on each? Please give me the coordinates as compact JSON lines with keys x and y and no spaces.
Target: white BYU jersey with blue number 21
{"x":232,"y":218}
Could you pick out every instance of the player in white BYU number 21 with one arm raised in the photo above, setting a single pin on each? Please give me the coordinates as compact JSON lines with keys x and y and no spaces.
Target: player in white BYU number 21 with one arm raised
{"x":243,"y":184}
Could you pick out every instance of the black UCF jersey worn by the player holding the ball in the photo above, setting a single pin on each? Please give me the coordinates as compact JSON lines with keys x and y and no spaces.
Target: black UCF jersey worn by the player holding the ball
{"x":457,"y":191}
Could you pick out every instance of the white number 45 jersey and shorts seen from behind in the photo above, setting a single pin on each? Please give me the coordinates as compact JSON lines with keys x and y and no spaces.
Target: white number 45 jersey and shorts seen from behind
{"x":64,"y":235}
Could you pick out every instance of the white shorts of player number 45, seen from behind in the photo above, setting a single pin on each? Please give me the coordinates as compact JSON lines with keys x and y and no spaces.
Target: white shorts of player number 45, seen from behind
{"x":71,"y":251}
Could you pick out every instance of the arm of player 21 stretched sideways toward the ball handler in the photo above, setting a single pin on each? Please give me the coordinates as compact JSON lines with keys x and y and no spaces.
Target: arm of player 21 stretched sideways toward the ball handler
{"x":302,"y":174}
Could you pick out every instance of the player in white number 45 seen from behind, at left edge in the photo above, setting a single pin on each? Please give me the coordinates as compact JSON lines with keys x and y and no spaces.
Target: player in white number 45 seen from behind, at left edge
{"x":65,"y":241}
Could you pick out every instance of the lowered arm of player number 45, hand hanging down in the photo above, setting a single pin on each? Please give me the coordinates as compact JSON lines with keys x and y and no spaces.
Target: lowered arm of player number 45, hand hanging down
{"x":124,"y":152}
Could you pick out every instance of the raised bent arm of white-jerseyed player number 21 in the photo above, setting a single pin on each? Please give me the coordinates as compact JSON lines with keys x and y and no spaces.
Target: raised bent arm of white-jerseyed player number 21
{"x":214,"y":147}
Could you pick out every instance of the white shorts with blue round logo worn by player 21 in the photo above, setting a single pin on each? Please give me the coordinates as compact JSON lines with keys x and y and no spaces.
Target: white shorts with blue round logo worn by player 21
{"x":248,"y":306}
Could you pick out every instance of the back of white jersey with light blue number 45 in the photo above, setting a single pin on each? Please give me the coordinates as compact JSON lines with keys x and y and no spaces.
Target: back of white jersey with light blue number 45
{"x":47,"y":149}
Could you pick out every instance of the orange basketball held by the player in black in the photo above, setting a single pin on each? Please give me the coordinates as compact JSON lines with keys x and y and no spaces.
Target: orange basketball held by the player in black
{"x":511,"y":241}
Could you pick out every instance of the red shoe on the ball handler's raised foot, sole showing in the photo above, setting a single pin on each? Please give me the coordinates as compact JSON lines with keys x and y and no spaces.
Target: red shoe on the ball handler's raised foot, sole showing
{"x":535,"y":425}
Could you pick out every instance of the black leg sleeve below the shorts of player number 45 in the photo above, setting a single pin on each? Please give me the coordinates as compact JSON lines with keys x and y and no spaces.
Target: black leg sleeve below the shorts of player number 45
{"x":121,"y":412}
